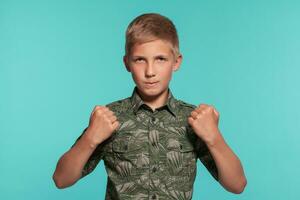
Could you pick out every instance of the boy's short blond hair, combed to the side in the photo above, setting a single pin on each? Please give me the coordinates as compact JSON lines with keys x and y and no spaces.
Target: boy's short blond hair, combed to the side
{"x":151,"y":26}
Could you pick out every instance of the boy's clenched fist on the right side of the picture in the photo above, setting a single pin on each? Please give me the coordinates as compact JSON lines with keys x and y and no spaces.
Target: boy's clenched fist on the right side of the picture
{"x":204,"y":121}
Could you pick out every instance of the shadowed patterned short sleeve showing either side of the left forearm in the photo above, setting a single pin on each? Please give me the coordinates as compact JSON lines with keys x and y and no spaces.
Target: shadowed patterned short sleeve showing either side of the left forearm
{"x":93,"y":160}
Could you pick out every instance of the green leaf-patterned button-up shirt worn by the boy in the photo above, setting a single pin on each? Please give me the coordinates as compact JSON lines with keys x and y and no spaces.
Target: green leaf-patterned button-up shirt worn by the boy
{"x":153,"y":154}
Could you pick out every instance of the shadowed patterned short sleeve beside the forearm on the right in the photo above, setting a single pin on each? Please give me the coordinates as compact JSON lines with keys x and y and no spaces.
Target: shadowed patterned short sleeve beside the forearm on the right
{"x":206,"y":158}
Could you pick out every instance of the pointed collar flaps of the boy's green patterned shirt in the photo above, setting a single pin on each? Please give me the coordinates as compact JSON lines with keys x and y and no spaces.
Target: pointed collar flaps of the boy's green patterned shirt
{"x":137,"y":102}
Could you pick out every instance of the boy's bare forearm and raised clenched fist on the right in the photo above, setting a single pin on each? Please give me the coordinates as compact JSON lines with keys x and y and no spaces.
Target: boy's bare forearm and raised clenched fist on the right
{"x":204,"y":121}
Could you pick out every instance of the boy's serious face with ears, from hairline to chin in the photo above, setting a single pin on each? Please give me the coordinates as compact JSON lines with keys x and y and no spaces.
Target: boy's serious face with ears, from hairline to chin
{"x":151,"y":65}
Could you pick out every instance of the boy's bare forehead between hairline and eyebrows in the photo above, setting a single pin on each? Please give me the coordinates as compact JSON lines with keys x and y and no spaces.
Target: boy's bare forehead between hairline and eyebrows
{"x":153,"y":47}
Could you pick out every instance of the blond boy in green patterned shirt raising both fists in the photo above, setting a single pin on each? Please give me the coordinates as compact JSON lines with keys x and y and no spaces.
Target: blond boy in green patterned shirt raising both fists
{"x":150,"y":141}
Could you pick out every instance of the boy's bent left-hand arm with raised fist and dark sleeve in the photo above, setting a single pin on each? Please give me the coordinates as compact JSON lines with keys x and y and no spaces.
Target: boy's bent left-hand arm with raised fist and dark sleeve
{"x":71,"y":166}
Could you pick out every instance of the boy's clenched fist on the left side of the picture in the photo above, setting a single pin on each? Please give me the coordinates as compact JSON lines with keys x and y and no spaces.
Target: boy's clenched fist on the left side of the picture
{"x":102,"y":124}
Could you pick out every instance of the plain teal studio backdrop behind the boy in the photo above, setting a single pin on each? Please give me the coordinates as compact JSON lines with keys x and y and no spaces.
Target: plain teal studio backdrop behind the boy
{"x":58,"y":59}
